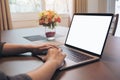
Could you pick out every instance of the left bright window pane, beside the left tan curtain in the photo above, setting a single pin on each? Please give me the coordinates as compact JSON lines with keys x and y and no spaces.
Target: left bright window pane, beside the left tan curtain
{"x":21,"y":6}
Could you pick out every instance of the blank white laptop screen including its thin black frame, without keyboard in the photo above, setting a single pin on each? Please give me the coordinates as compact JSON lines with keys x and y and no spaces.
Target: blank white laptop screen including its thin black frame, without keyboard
{"x":89,"y":32}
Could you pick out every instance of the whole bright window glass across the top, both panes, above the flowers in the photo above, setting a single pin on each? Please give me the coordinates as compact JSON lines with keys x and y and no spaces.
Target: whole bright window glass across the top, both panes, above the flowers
{"x":60,"y":6}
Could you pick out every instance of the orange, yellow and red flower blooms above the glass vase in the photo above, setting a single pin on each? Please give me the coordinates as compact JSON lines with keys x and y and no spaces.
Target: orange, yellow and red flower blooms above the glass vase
{"x":49,"y":18}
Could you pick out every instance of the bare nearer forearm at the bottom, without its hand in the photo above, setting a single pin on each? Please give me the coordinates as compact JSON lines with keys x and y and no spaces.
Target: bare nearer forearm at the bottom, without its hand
{"x":45,"y":72}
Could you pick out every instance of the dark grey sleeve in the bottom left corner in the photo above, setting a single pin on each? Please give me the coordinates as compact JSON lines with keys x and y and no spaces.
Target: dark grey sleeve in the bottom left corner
{"x":17,"y":77}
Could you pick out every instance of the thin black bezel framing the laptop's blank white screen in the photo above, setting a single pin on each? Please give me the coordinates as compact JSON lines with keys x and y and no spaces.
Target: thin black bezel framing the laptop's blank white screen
{"x":93,"y":14}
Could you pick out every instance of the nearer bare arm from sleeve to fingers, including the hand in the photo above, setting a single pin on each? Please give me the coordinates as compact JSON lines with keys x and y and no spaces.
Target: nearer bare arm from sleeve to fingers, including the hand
{"x":54,"y":60}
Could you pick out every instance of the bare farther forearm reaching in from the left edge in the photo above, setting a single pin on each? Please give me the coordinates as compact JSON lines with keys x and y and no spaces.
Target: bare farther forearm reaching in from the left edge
{"x":13,"y":49}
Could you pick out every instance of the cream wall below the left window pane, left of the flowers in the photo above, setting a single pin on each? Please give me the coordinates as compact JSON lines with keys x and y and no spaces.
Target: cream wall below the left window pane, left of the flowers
{"x":24,"y":20}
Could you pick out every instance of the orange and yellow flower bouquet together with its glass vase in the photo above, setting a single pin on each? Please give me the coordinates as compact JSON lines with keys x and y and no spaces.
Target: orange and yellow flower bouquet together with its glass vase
{"x":49,"y":20}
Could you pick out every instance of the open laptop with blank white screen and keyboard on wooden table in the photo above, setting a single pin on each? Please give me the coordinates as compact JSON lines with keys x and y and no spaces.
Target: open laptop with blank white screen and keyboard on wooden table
{"x":86,"y":38}
